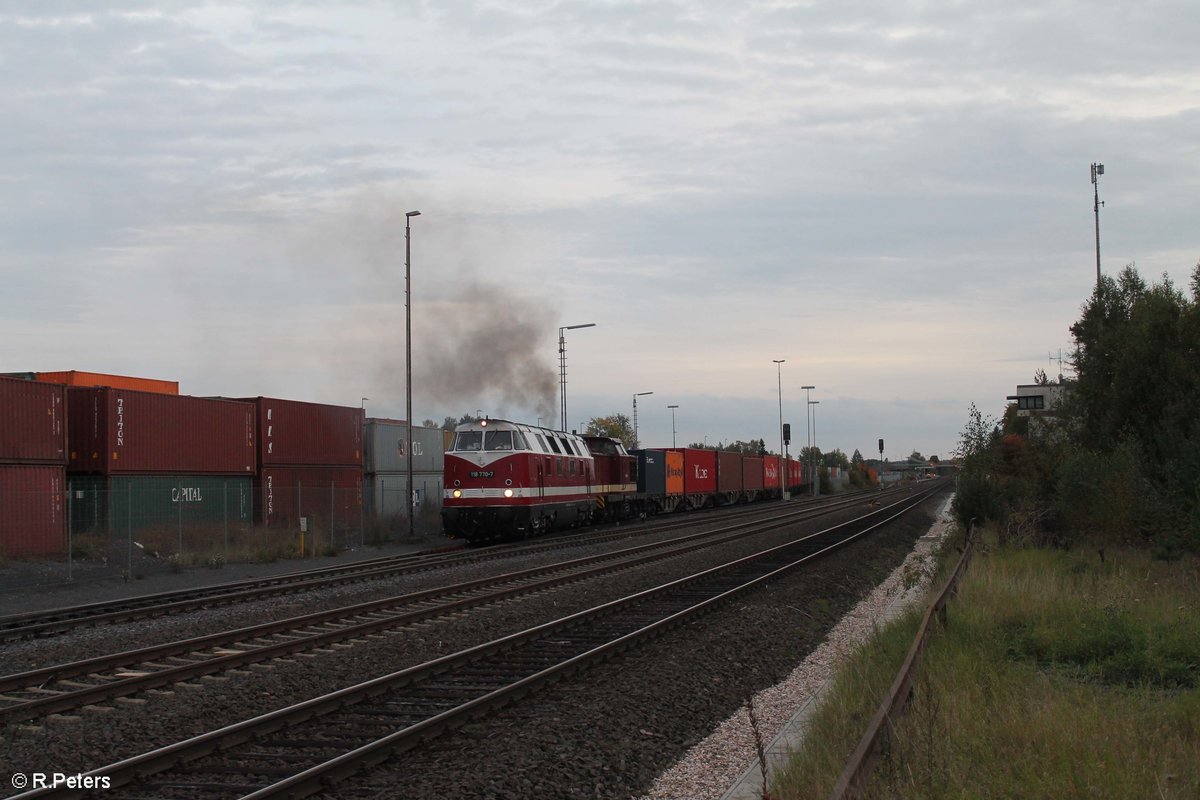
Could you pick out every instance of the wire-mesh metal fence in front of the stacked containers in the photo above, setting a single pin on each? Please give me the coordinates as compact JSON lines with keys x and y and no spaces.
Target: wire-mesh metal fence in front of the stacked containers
{"x":140,"y":526}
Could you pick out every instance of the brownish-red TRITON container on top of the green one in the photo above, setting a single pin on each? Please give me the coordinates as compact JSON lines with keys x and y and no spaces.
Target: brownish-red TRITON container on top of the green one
{"x":115,"y":431}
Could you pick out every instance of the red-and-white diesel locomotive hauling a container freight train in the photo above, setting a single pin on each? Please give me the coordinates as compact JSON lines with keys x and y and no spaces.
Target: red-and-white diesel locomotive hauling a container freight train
{"x":507,"y":480}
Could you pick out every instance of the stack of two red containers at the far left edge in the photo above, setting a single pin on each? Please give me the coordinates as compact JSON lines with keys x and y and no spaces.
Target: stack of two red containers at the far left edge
{"x":33,"y":456}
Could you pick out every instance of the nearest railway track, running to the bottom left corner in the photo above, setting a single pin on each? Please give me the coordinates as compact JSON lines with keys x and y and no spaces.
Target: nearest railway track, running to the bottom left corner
{"x":308,"y":748}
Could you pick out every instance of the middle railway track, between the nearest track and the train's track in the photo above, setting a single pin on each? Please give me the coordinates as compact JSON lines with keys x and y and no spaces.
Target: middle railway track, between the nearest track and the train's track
{"x":63,"y":689}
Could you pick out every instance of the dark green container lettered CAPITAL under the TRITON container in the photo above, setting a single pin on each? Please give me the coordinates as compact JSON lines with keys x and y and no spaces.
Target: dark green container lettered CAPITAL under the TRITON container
{"x":197,"y":504}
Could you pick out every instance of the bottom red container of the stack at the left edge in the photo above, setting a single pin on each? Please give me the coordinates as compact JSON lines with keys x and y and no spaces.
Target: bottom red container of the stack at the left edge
{"x":33,"y":521}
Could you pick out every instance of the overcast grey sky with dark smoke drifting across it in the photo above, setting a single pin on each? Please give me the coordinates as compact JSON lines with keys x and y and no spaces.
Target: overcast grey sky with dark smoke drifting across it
{"x":895,"y":197}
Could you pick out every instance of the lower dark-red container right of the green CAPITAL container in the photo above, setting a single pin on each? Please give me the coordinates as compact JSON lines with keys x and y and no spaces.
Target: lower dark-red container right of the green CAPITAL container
{"x":289,"y":494}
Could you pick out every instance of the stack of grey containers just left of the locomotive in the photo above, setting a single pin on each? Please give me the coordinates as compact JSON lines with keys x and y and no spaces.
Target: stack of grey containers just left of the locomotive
{"x":387,"y":453}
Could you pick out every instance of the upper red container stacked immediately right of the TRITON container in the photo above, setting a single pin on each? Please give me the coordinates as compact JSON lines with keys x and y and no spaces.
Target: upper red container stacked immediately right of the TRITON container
{"x":296,"y":434}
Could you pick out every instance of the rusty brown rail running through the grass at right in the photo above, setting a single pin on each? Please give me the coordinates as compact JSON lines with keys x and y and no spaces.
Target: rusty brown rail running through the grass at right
{"x":859,"y":769}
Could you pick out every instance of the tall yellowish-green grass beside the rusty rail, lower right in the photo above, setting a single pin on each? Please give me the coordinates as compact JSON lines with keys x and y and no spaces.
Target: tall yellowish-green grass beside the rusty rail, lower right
{"x":1060,"y":676}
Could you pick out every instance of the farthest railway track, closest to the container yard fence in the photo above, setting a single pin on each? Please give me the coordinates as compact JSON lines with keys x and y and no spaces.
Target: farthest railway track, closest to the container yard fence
{"x":62,"y":621}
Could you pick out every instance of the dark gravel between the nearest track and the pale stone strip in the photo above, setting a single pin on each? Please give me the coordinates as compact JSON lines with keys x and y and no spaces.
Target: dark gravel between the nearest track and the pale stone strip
{"x":613,"y":732}
